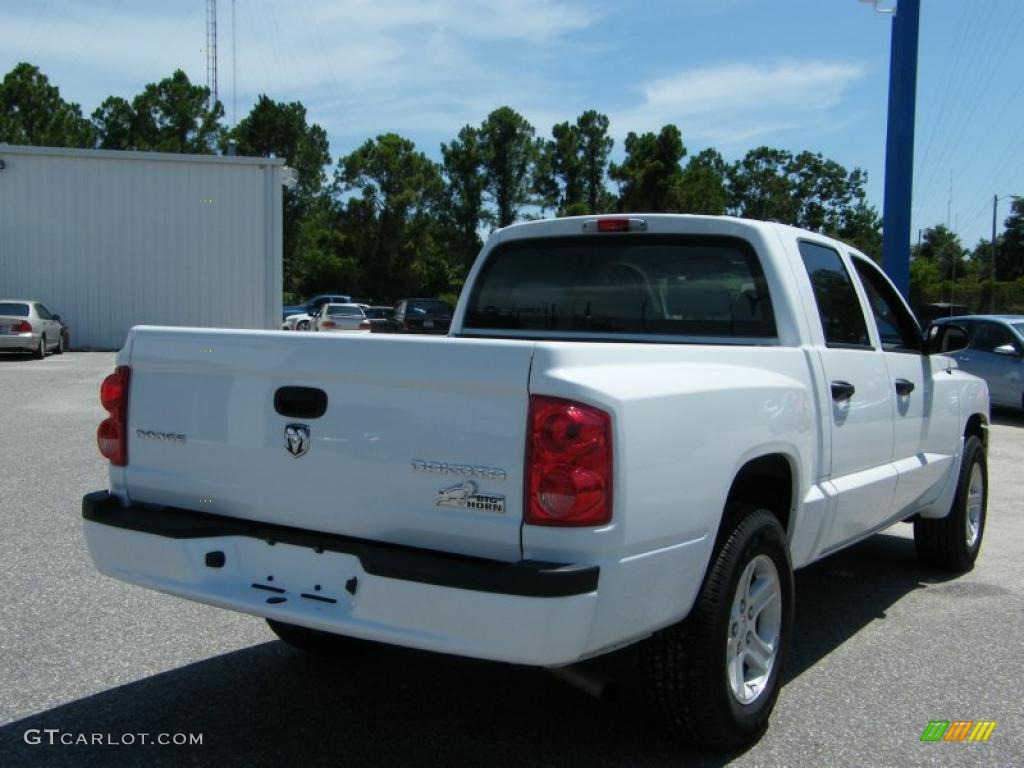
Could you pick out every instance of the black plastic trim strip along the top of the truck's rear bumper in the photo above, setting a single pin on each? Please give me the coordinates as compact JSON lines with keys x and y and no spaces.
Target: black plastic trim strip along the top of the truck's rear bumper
{"x":525,"y":579}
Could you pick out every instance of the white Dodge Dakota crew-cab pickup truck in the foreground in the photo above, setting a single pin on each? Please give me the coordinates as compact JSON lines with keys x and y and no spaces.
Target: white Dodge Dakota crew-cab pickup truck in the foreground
{"x":636,"y":430}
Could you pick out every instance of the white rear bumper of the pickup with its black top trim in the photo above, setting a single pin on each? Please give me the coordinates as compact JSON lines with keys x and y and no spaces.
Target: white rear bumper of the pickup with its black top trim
{"x":528,"y":613}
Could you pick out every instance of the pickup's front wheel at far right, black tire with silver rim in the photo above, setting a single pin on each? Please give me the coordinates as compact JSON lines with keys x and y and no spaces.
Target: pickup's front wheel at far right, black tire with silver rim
{"x":945,"y":542}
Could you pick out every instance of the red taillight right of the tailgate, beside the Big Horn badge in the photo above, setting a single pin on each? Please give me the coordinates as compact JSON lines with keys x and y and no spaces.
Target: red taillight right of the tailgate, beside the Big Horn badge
{"x":569,"y":464}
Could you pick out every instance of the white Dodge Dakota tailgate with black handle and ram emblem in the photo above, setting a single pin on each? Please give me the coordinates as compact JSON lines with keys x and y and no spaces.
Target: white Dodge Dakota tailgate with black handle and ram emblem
{"x":421,"y":444}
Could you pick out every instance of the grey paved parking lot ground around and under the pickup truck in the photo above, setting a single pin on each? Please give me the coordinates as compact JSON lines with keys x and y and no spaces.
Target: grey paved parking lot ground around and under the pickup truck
{"x":882,"y":648}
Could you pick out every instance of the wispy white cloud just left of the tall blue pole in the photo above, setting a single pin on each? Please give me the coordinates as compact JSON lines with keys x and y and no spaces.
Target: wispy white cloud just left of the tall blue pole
{"x":739,"y":103}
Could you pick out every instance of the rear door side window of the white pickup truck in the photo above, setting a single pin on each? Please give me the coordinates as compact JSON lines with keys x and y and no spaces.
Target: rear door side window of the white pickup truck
{"x":842,"y":319}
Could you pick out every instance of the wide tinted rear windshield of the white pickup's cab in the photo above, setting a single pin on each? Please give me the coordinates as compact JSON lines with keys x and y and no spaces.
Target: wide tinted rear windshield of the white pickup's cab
{"x":624,"y":285}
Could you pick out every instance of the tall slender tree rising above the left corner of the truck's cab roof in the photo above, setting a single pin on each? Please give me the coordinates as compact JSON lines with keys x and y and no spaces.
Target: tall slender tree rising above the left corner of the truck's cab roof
{"x":509,"y":152}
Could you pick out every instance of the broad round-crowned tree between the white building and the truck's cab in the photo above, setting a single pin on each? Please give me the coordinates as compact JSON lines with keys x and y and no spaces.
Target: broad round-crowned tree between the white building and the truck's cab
{"x":389,"y":223}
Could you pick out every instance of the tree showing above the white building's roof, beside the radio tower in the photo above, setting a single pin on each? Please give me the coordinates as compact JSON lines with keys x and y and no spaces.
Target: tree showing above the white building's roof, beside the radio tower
{"x":176,"y":116}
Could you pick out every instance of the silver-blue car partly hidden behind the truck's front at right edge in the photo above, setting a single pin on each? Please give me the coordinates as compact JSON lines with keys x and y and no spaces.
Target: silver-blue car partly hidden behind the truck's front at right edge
{"x":996,"y":355}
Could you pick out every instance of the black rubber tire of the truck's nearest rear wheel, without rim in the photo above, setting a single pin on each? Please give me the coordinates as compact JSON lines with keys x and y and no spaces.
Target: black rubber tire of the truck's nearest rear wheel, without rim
{"x":687,"y":665}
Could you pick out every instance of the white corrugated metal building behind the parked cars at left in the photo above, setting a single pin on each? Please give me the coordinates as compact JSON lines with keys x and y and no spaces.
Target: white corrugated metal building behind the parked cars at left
{"x":111,"y":240}
